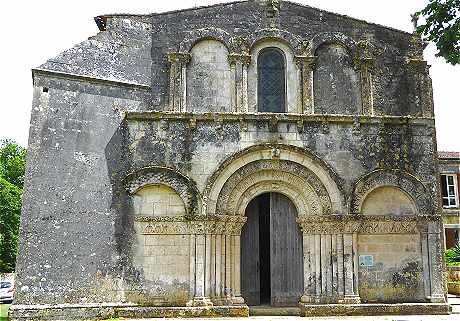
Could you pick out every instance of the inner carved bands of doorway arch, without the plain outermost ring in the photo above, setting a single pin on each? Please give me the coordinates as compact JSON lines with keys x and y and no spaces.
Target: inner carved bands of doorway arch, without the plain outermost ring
{"x":297,"y":182}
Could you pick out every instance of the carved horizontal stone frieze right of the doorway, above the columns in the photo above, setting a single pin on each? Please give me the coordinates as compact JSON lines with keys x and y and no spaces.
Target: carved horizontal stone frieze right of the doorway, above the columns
{"x":335,"y":224}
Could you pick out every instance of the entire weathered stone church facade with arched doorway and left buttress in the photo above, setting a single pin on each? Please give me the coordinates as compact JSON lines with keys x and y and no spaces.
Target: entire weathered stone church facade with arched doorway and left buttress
{"x":254,"y":152}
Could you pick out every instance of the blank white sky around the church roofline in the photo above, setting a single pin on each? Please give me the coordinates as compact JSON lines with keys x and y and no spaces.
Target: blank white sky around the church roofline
{"x":34,"y":31}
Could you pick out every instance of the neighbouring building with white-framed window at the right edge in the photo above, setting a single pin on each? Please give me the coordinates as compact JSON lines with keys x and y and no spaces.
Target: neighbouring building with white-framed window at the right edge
{"x":449,"y":168}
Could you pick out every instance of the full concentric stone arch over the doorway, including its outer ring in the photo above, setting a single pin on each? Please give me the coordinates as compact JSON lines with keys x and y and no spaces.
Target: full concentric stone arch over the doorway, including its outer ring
{"x":310,"y":183}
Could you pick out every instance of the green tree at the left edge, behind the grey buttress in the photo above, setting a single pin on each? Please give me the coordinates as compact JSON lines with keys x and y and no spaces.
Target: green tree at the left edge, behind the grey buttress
{"x":12,"y":167}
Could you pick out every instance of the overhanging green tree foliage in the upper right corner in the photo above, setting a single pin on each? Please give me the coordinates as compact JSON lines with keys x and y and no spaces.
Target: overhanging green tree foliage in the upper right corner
{"x":442,"y":26}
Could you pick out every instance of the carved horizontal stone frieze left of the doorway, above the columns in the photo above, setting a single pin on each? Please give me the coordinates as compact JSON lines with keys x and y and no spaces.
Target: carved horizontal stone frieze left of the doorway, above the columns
{"x":199,"y":224}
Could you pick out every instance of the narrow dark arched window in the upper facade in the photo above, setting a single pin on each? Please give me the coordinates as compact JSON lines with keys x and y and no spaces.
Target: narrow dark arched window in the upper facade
{"x":271,"y":89}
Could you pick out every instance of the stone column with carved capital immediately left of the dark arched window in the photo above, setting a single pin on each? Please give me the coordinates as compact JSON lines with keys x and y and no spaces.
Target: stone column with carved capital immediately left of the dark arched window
{"x":239,"y":65}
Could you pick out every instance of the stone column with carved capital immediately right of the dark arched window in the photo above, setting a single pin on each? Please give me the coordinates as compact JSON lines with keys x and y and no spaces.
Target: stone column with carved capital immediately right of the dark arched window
{"x":306,"y":64}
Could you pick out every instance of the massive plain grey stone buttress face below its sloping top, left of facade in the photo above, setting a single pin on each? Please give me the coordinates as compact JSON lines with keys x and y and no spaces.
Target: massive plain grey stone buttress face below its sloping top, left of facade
{"x":71,"y":229}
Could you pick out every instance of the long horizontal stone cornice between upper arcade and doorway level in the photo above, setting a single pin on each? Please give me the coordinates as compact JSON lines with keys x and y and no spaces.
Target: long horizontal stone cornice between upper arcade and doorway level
{"x":288,"y":117}
